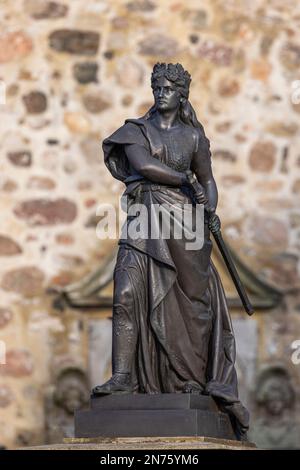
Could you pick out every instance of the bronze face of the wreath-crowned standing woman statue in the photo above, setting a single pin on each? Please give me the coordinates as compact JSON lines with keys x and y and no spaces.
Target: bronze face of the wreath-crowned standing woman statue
{"x":166,"y":97}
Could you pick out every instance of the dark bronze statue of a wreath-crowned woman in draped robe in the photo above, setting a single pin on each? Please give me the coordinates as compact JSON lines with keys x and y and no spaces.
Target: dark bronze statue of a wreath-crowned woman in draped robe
{"x":172,"y":331}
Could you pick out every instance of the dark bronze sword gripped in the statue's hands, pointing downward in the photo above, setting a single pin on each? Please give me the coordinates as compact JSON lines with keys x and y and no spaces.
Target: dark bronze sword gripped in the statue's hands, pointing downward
{"x":202,"y":199}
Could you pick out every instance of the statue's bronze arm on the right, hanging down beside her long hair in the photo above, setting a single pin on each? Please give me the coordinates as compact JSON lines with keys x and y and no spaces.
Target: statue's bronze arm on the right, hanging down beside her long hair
{"x":201,"y":166}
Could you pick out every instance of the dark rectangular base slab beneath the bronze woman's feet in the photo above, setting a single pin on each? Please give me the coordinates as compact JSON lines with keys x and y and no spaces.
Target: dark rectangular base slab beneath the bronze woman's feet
{"x":144,"y":415}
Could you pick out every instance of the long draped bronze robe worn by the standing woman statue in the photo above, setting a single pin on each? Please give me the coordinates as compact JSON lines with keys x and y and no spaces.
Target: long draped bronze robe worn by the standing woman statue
{"x":176,"y":296}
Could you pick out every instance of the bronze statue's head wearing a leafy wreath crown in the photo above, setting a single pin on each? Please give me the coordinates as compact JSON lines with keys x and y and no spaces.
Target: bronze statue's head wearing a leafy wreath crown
{"x":170,"y":84}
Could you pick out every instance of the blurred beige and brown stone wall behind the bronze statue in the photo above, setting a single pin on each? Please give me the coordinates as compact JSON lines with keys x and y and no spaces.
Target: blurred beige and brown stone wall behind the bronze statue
{"x":71,"y":72}
